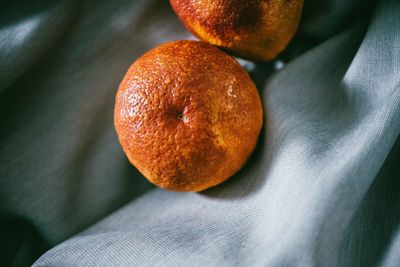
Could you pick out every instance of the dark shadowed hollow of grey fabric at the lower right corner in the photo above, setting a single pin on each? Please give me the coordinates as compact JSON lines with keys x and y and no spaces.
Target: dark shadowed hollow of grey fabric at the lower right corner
{"x":377,"y":218}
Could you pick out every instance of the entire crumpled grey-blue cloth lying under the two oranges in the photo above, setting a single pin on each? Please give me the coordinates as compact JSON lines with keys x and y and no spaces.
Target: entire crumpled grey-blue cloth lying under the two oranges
{"x":321,"y":189}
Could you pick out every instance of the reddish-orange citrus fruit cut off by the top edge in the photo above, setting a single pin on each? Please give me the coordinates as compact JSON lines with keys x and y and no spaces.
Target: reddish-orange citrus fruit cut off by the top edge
{"x":253,"y":29}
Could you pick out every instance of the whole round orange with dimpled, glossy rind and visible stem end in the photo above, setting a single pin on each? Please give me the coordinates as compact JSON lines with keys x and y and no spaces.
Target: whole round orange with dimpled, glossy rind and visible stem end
{"x":187,"y":115}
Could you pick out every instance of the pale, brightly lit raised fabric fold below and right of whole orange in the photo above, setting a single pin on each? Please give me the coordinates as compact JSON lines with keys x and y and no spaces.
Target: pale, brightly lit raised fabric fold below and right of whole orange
{"x":327,"y":151}
